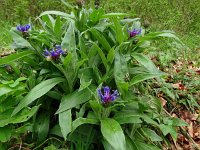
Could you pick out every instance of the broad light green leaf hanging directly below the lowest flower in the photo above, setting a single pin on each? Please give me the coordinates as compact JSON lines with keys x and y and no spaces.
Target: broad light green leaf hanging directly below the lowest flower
{"x":113,"y":133}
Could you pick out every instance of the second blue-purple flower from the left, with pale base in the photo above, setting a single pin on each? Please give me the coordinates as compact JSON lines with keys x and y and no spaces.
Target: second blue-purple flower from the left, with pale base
{"x":54,"y":54}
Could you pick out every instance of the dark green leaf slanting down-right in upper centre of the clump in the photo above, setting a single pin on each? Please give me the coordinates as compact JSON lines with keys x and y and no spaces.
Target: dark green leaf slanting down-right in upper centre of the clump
{"x":101,"y":39}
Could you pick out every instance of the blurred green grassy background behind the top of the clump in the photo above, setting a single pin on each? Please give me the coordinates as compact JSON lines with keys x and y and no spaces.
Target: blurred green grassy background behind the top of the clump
{"x":183,"y":17}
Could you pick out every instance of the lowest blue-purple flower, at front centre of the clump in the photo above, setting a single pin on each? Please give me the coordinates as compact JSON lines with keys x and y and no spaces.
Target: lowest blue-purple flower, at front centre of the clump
{"x":107,"y":97}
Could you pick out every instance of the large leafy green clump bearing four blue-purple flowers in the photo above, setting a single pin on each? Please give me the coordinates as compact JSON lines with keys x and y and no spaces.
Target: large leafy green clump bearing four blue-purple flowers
{"x":61,"y":98}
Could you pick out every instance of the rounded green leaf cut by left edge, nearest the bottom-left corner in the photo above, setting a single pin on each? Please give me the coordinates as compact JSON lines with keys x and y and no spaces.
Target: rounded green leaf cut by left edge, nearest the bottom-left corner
{"x":5,"y":134}
